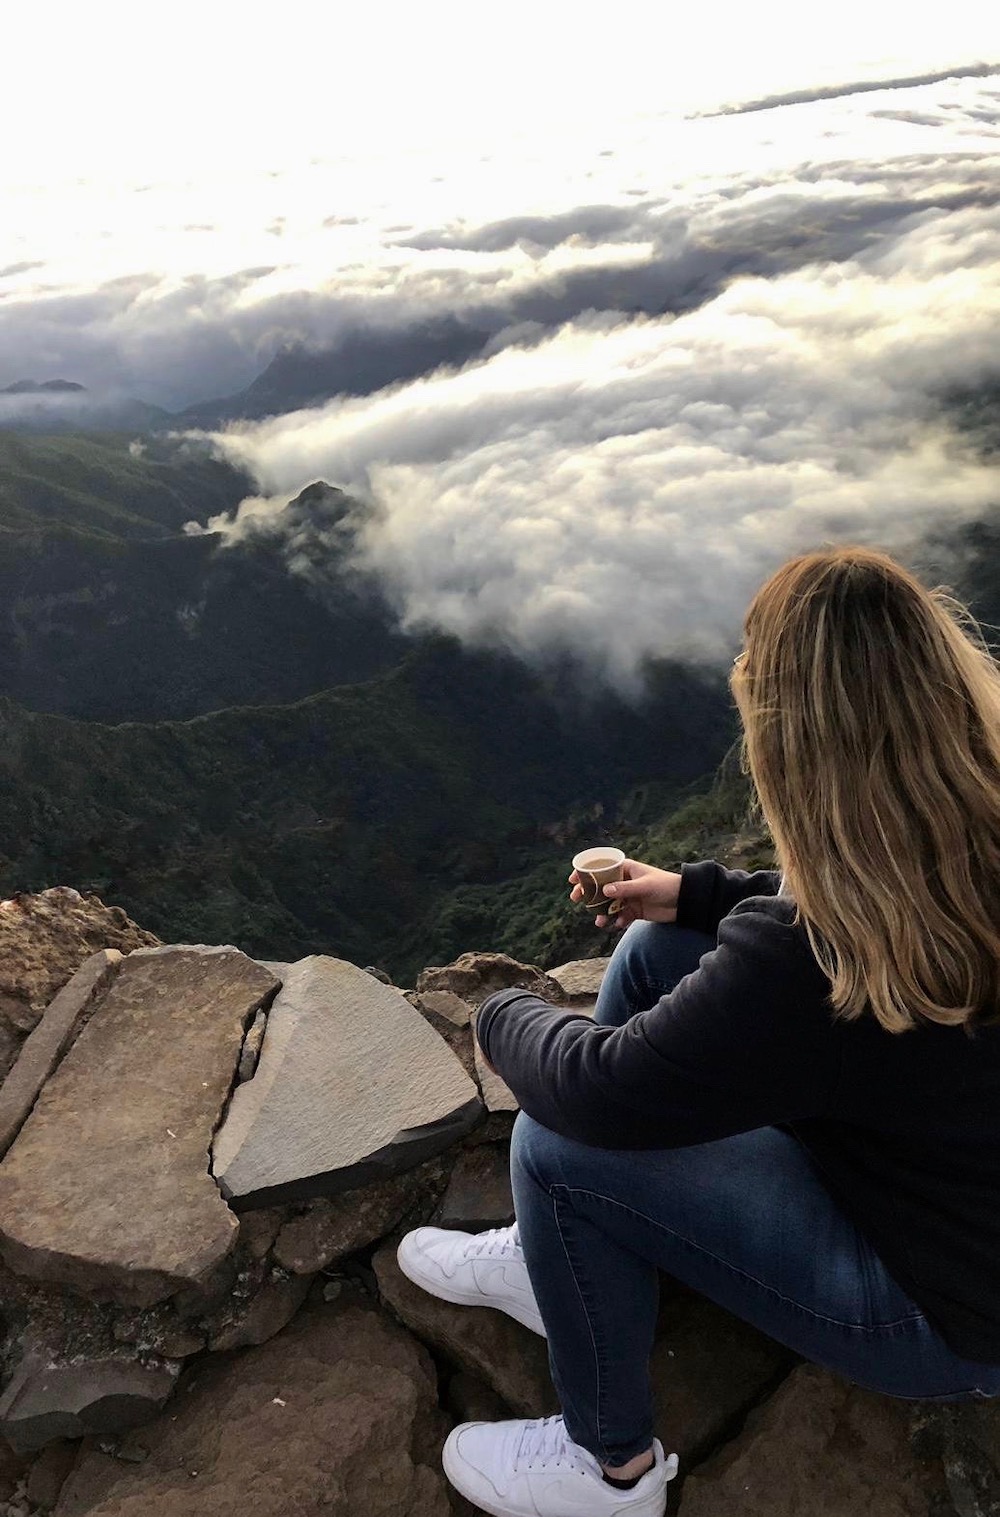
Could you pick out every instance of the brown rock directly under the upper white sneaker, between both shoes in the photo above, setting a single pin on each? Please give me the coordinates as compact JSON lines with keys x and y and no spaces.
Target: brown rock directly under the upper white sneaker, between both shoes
{"x":512,"y":1360}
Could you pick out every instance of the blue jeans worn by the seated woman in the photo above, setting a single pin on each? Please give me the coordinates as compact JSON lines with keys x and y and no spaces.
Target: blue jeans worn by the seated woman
{"x":744,"y":1220}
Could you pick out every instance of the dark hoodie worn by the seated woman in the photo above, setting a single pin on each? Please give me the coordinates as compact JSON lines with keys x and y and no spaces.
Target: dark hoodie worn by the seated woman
{"x":905,"y":1128}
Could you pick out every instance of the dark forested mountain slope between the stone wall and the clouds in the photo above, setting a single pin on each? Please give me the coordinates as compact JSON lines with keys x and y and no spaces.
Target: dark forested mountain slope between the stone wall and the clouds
{"x":338,"y":824}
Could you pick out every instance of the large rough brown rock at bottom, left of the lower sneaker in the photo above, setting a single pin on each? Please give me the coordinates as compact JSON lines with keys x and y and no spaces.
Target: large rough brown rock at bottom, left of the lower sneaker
{"x":336,"y":1418}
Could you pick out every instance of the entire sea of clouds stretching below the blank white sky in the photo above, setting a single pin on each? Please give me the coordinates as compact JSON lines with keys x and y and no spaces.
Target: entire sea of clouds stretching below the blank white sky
{"x":702,"y":350}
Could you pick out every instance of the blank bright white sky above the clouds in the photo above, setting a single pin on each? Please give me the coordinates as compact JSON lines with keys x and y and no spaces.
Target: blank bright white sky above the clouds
{"x":113,"y":90}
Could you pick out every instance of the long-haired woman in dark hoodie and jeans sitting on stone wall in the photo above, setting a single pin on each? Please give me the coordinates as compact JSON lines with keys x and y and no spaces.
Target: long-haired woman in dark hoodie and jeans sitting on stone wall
{"x":790,"y":1098}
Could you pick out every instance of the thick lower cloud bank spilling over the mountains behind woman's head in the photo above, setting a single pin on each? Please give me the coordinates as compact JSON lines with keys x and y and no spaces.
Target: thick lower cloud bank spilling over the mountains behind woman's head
{"x":620,"y":488}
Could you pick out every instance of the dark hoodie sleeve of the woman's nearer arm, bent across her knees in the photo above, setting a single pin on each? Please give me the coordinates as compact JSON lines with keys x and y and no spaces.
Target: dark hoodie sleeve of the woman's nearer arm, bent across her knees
{"x":743,"y":1043}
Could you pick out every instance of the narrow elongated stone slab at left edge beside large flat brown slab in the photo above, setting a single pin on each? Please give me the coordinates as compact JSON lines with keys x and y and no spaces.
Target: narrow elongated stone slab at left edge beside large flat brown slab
{"x":46,"y":1046}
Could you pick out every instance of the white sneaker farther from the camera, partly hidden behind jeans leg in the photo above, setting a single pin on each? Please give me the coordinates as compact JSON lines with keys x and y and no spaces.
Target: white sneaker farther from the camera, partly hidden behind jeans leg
{"x":473,"y":1270}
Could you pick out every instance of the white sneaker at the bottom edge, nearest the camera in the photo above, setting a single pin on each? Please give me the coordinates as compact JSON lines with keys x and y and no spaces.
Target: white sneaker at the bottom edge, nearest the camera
{"x":532,"y":1469}
